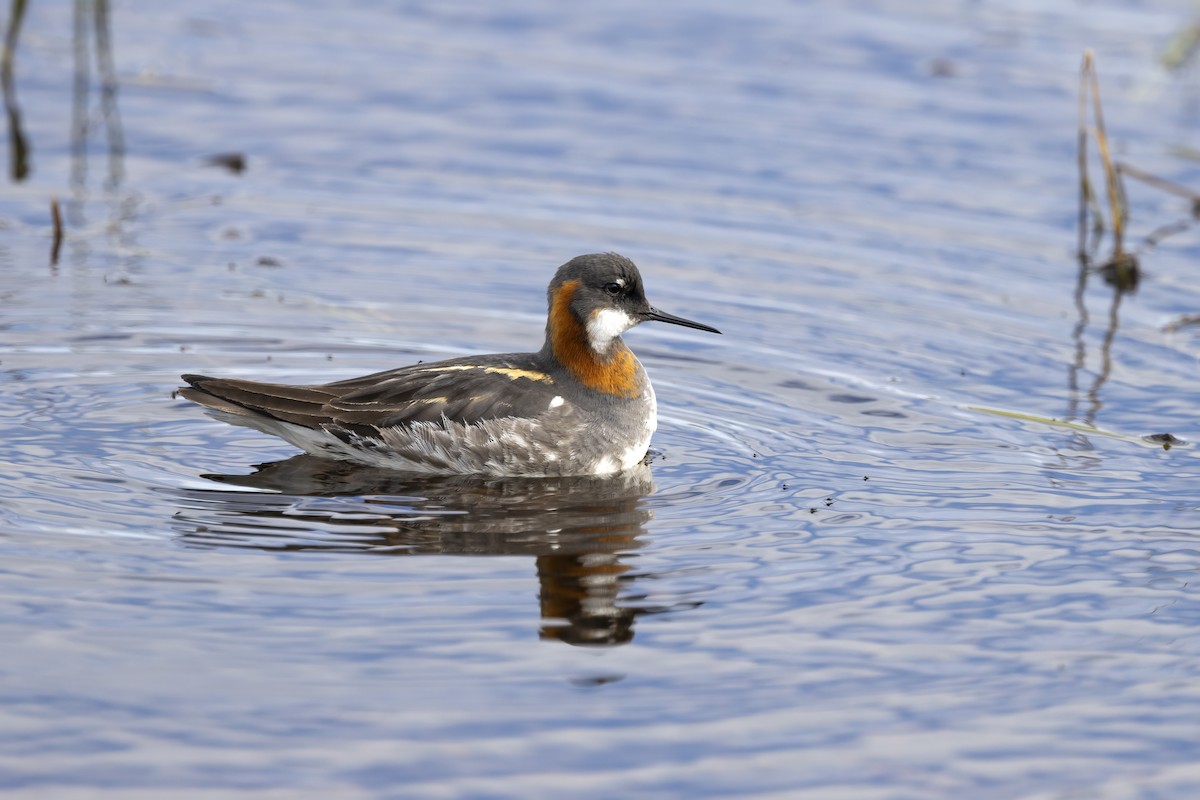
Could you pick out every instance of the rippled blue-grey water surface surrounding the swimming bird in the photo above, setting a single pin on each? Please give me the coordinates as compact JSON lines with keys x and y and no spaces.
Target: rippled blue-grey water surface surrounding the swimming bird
{"x":869,"y":561}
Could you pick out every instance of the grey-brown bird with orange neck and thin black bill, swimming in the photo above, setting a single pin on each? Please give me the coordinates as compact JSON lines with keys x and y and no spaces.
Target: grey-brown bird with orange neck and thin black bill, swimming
{"x":580,"y":406}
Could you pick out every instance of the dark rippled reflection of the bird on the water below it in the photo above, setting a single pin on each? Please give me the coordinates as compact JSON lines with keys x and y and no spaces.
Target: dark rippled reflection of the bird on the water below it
{"x":578,"y":530}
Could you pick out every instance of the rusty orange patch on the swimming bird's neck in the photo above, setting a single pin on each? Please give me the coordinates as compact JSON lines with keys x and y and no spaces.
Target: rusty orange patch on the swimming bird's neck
{"x":614,"y":374}
